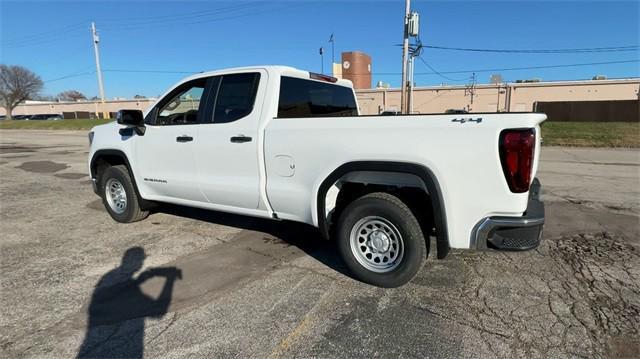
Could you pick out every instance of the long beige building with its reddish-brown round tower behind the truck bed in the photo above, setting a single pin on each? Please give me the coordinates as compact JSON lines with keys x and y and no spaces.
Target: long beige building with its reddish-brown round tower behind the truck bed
{"x":599,"y":99}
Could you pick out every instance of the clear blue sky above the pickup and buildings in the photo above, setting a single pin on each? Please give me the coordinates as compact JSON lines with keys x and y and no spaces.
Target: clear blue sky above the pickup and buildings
{"x":168,"y":38}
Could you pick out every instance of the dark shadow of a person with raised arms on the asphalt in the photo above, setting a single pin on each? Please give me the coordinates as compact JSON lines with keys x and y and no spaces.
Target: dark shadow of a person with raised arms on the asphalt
{"x":118,"y":308}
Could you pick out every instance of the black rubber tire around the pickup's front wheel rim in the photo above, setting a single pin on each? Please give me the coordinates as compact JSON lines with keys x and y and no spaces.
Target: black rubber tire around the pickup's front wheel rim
{"x":131,"y":211}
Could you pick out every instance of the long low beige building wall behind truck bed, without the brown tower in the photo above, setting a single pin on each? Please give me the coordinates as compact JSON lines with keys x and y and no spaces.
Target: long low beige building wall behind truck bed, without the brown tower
{"x":505,"y":97}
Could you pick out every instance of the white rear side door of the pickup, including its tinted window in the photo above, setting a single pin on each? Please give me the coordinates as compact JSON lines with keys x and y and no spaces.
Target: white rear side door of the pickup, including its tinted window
{"x":227,"y":145}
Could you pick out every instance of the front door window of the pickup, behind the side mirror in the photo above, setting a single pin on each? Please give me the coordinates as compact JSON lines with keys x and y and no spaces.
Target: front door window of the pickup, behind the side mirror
{"x":182,"y":106}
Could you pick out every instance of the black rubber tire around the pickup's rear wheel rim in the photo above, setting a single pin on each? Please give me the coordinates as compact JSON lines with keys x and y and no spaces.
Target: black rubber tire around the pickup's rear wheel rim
{"x":397,"y":213}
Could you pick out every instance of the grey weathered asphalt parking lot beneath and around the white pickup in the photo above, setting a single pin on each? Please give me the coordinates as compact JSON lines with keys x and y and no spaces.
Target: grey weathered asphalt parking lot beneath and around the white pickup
{"x":233,"y":286}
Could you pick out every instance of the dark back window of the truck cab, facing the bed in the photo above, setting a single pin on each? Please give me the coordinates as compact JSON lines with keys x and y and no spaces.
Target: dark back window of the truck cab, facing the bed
{"x":301,"y":98}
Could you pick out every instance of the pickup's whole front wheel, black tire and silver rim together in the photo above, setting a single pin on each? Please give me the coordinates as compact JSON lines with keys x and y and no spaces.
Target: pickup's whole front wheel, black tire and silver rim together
{"x":119,"y":195}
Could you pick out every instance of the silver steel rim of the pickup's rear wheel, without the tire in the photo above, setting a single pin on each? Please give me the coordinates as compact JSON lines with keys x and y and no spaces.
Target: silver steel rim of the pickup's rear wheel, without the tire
{"x":376,"y":244}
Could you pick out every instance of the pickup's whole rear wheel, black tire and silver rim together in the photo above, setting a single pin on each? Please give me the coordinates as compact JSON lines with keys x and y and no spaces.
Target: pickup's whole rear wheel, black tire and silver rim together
{"x":380,"y":240}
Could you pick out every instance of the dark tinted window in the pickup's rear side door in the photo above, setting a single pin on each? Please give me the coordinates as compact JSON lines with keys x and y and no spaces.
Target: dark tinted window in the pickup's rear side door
{"x":235,"y":97}
